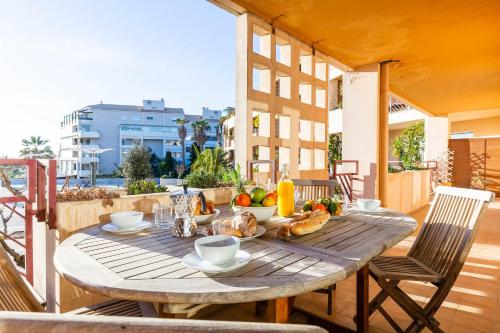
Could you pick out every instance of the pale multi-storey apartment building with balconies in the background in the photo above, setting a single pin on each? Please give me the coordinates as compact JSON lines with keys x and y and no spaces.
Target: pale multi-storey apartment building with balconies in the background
{"x":104,"y":133}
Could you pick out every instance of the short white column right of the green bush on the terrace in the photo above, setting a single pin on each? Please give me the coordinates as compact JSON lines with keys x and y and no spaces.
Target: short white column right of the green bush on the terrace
{"x":436,"y":137}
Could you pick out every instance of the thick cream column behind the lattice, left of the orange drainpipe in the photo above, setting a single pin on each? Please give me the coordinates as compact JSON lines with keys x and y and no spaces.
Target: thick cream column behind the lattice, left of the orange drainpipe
{"x":360,"y":122}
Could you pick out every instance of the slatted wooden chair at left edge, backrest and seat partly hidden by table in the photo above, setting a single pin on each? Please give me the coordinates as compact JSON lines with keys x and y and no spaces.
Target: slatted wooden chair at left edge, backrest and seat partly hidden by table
{"x":15,"y":295}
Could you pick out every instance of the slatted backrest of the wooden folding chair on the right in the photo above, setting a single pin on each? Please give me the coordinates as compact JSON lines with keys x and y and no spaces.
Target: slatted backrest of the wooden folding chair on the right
{"x":449,"y":229}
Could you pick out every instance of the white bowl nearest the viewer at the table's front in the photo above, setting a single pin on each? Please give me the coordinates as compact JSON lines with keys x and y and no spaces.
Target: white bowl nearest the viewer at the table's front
{"x":217,"y":249}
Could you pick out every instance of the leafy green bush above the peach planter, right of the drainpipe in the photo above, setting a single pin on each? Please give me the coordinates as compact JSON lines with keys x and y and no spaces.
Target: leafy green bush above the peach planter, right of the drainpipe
{"x":408,"y":146}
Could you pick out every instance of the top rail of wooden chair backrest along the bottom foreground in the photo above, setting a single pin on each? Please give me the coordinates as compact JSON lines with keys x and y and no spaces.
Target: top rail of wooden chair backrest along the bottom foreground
{"x":49,"y":323}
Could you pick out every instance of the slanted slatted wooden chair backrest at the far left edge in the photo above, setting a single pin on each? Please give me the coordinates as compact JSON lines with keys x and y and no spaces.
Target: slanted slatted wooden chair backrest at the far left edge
{"x":14,"y":293}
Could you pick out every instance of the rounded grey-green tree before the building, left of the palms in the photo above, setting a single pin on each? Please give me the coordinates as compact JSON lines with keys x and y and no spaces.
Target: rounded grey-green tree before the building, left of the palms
{"x":137,"y":165}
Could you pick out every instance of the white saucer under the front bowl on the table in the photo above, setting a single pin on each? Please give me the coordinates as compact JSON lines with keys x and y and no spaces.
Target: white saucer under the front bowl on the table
{"x":194,"y":261}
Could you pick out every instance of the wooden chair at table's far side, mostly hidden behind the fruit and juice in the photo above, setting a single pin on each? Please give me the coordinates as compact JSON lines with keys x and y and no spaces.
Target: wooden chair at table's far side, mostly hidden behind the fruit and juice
{"x":311,"y":189}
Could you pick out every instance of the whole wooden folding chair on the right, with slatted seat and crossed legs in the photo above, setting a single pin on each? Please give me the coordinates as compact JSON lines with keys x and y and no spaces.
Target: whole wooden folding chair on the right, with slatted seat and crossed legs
{"x":437,"y":256}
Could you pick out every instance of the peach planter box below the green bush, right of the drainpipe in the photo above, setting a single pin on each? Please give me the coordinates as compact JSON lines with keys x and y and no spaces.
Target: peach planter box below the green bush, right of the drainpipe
{"x":409,"y":190}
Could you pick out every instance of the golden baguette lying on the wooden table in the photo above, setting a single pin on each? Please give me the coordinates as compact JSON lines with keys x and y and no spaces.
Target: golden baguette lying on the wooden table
{"x":305,"y":224}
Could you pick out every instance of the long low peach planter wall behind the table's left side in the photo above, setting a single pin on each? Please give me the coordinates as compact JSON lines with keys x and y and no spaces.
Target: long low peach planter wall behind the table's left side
{"x":60,"y":294}
